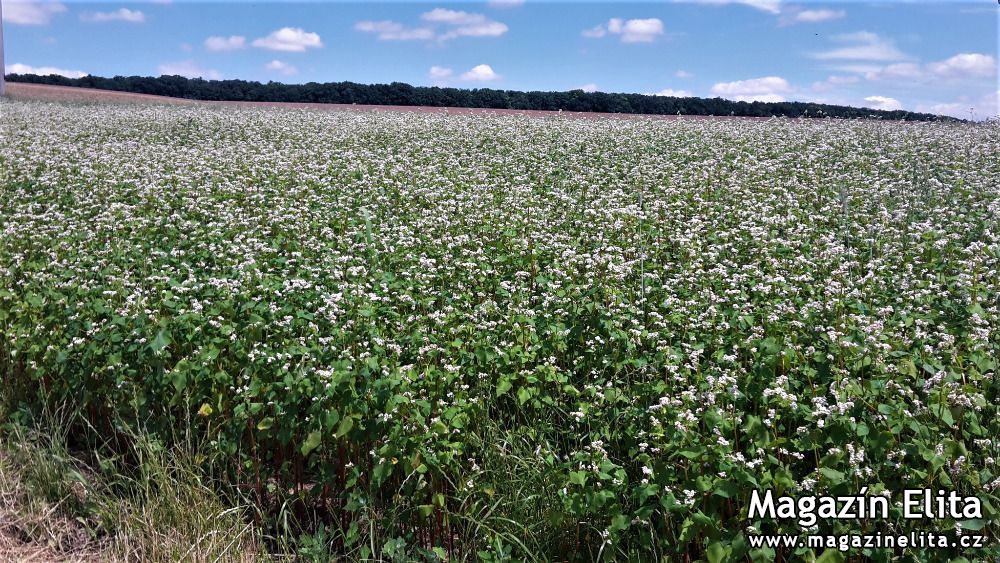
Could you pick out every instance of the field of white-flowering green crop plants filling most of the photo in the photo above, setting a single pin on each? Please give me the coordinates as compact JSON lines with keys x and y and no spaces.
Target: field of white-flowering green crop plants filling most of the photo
{"x":471,"y":337}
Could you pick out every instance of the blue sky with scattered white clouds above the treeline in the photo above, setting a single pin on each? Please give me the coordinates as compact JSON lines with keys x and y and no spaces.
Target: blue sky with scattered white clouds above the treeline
{"x":938,"y":57}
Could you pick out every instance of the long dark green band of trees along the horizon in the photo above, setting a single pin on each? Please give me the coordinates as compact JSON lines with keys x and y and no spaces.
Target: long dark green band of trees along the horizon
{"x":401,"y":94}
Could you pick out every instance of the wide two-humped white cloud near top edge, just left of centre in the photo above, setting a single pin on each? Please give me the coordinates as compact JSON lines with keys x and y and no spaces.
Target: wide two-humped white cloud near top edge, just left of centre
{"x":440,"y":23}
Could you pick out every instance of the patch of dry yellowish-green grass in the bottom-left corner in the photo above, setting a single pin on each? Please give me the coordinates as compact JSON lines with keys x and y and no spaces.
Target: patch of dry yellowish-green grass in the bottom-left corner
{"x":55,"y":507}
